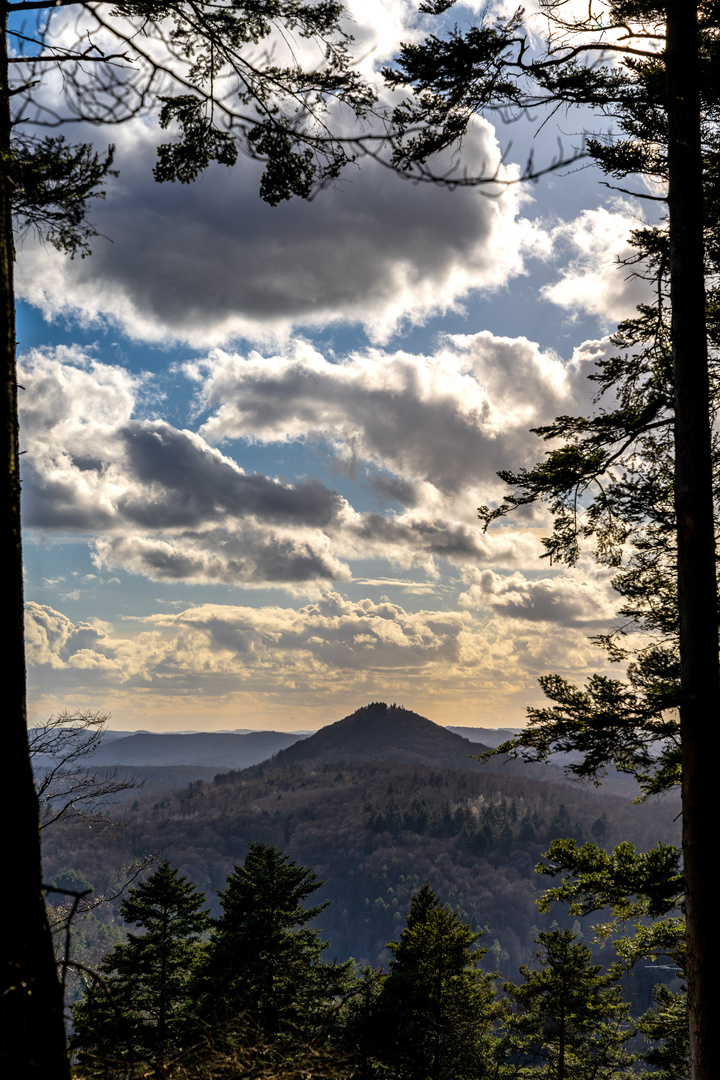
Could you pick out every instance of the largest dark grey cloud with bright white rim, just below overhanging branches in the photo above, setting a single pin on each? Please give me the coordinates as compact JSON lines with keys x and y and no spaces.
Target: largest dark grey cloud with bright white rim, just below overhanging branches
{"x":209,"y":263}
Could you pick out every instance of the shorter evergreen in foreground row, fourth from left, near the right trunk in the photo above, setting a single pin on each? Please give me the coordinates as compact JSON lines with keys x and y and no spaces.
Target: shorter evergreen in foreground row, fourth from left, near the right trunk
{"x":568,"y":1021}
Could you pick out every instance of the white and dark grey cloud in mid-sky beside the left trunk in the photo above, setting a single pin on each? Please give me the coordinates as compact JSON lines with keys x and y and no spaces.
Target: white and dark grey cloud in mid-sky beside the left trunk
{"x":160,"y":502}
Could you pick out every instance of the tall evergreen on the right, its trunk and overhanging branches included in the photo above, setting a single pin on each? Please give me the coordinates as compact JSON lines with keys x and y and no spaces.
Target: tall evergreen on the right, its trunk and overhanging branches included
{"x":654,"y":69}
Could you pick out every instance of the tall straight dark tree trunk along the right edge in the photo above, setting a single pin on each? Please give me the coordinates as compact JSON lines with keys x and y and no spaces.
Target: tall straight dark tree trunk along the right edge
{"x":698,"y":599}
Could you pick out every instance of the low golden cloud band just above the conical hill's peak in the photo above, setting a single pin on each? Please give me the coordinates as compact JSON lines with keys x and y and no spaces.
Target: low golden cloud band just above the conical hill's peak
{"x":316,"y":659}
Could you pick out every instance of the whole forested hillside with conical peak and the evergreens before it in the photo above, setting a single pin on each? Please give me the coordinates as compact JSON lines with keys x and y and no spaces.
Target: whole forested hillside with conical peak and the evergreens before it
{"x":366,"y":919}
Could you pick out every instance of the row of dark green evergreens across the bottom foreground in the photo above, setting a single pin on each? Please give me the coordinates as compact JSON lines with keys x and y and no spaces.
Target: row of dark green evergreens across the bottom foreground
{"x":252,"y":993}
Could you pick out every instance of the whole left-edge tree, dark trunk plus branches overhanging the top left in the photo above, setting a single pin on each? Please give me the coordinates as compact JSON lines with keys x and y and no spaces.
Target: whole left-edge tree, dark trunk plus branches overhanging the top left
{"x":202,"y":69}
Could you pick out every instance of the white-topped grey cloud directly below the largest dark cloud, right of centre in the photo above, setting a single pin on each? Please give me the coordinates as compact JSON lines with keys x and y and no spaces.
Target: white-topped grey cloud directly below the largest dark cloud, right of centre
{"x":445,"y":423}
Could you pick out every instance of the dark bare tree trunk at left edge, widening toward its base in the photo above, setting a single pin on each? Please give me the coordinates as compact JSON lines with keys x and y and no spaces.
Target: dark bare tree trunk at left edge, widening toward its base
{"x":32,"y":1027}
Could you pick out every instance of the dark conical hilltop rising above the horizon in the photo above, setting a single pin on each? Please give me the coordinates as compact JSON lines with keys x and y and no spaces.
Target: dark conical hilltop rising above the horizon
{"x":381,"y":733}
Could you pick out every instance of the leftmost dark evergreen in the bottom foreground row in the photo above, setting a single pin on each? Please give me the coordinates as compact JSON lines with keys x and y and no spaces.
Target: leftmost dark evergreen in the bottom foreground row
{"x":143,"y":1008}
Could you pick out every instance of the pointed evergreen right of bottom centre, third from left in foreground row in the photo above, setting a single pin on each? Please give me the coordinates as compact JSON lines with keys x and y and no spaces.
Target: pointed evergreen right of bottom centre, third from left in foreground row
{"x":437,"y":1010}
